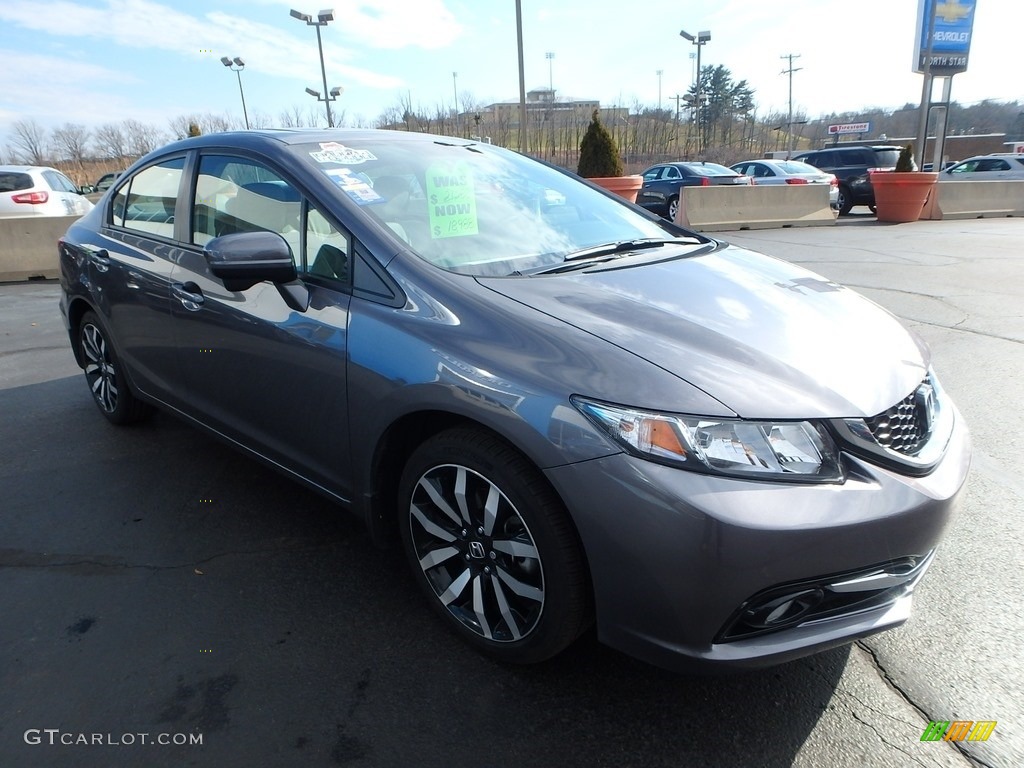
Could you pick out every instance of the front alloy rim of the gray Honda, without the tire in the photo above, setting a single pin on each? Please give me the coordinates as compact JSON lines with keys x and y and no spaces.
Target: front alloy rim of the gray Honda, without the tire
{"x":478,"y":553}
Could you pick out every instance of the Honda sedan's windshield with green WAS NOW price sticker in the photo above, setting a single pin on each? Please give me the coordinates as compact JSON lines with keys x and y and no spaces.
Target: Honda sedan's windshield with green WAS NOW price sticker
{"x":476,"y":208}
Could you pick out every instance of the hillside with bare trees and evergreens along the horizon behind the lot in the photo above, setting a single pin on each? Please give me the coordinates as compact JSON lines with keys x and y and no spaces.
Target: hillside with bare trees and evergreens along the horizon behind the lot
{"x":729,"y":127}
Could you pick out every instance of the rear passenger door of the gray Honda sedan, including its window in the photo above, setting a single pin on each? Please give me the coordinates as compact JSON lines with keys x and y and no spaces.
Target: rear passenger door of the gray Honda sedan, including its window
{"x":130,"y":273}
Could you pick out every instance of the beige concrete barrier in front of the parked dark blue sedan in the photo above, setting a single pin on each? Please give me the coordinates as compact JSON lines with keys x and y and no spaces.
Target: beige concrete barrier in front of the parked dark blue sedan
{"x":723,"y":208}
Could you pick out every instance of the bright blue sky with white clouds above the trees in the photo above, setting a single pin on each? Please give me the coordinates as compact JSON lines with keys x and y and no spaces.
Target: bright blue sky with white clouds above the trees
{"x":94,"y":62}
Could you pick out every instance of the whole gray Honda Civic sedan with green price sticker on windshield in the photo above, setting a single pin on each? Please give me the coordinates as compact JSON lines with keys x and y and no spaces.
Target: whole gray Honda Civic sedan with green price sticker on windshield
{"x":568,"y":411}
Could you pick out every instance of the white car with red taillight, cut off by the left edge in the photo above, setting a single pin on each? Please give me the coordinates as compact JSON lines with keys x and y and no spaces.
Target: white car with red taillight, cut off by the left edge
{"x":38,"y":191}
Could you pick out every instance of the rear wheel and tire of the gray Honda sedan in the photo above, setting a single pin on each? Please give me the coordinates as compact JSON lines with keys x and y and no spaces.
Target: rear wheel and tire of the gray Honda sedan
{"x":104,"y":374}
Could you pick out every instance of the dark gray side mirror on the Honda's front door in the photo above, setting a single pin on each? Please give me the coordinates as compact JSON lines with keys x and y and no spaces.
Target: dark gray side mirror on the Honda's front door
{"x":243,"y":260}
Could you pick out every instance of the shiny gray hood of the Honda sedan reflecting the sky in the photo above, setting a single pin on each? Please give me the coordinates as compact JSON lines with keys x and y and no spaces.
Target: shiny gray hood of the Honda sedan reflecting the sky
{"x":765,"y":338}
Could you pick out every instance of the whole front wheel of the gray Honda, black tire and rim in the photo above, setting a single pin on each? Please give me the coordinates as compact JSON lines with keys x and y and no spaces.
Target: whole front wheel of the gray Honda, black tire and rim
{"x":504,"y":568}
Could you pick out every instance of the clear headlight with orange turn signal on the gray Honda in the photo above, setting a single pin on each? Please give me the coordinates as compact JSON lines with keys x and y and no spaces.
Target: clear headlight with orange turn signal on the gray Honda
{"x":790,"y":451}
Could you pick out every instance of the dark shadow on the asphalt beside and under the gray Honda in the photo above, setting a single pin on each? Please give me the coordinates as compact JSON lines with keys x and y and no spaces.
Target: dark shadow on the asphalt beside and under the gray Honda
{"x":157,"y":582}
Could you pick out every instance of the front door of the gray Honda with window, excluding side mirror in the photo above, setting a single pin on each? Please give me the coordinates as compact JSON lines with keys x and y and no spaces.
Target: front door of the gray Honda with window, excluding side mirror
{"x":266,"y":374}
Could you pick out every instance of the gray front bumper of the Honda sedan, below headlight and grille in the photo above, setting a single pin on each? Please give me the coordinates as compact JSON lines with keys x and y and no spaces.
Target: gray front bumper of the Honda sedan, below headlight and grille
{"x":675,"y":557}
